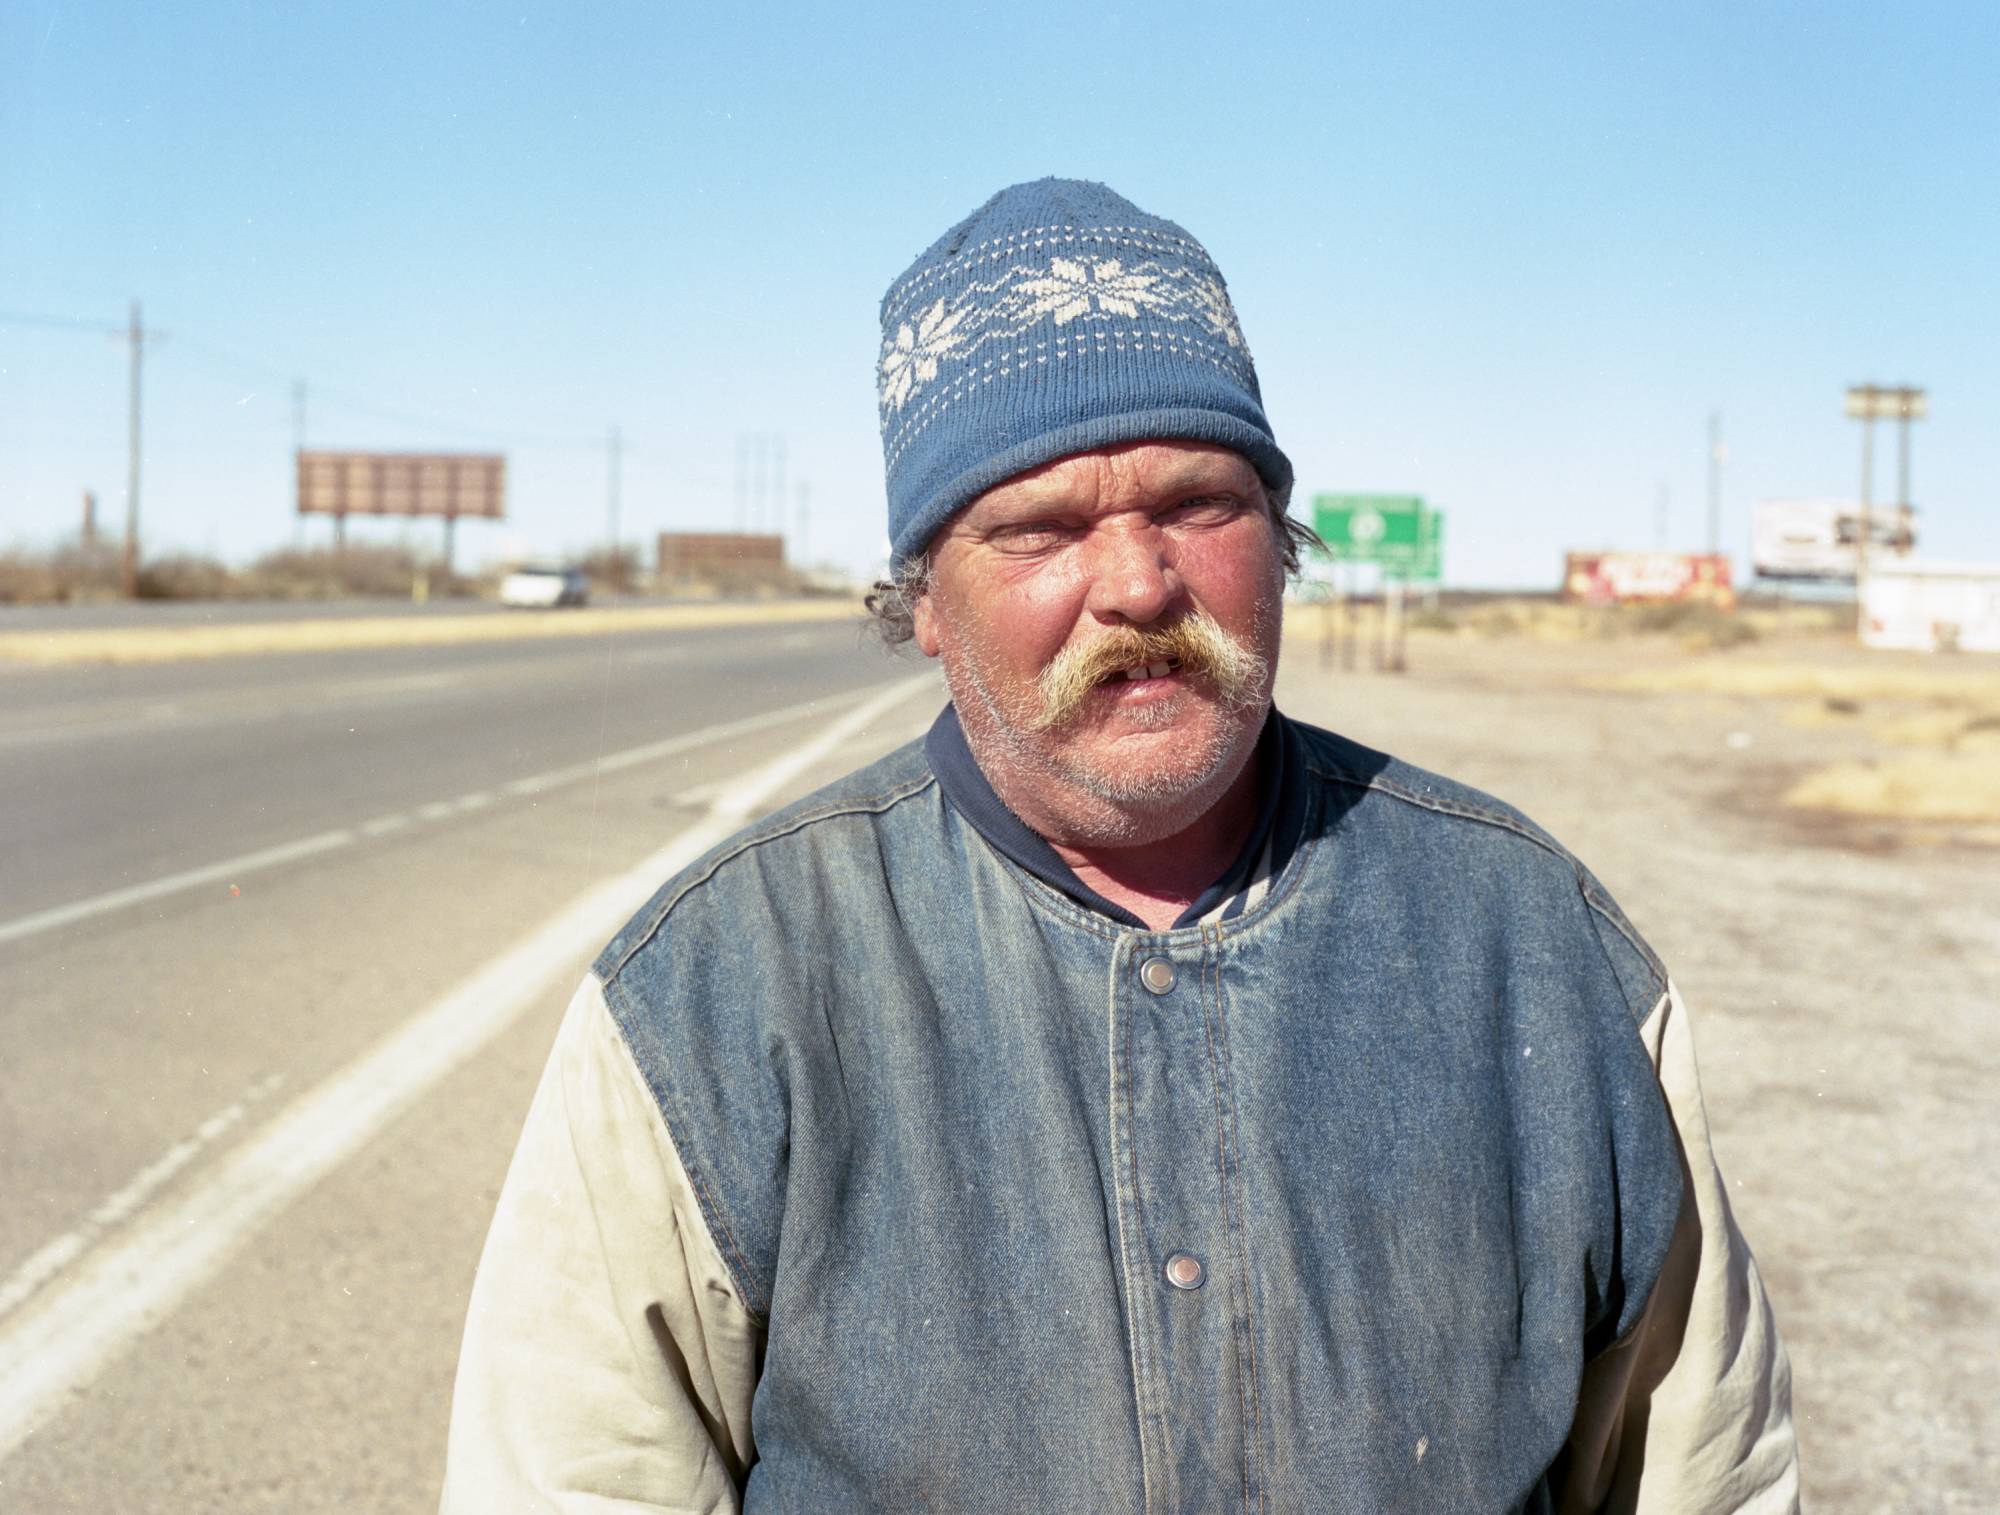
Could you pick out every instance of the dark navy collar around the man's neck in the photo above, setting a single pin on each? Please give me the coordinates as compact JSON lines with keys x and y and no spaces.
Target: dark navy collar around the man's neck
{"x":1271,"y":842}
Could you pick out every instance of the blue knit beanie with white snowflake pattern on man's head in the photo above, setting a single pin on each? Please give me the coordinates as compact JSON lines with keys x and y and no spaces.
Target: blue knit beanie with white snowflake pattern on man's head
{"x":1055,"y":319}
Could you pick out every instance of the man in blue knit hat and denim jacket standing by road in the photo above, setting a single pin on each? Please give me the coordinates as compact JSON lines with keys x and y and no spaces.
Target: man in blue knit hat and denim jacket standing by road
{"x":1127,"y":1098}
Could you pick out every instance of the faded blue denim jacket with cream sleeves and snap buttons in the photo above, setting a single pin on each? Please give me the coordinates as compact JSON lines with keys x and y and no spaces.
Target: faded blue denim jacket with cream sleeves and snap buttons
{"x":875,"y":1174}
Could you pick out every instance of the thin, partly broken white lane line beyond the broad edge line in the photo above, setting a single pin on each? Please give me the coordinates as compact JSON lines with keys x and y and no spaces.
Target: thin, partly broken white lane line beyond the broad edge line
{"x":251,"y":862}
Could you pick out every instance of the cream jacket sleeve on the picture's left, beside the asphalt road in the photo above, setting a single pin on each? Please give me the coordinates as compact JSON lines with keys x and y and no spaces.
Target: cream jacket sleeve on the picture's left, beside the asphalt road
{"x":609,"y":1362}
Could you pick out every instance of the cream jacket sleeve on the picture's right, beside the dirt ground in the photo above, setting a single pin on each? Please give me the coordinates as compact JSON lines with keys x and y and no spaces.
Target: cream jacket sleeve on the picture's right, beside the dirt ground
{"x":1691,"y":1414}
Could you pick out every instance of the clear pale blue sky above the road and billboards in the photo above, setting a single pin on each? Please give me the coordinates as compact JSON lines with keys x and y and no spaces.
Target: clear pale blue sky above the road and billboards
{"x":1507,"y":259}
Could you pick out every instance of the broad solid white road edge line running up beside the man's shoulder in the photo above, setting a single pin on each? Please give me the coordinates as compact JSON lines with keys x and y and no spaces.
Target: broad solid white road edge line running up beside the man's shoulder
{"x":67,"y":1338}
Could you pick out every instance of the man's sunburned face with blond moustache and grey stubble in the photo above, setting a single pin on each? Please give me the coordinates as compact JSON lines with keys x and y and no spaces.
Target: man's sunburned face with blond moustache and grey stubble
{"x":1051,"y":591}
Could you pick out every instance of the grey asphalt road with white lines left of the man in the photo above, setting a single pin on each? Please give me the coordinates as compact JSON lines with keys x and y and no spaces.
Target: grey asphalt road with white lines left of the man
{"x":229,"y":1280}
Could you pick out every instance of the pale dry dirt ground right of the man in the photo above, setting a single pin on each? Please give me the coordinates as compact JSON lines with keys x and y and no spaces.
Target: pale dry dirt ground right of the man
{"x":1845,"y":974}
